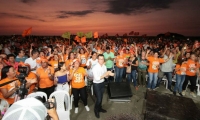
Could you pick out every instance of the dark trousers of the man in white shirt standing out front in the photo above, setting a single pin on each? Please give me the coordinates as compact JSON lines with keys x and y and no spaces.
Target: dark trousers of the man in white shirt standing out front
{"x":98,"y":92}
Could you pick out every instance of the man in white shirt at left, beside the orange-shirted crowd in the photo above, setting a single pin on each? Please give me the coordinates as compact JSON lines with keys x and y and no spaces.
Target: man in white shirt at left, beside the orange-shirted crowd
{"x":32,"y":60}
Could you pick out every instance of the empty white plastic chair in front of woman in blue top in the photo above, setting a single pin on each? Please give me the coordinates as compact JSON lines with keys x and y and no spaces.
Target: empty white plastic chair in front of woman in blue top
{"x":62,"y":104}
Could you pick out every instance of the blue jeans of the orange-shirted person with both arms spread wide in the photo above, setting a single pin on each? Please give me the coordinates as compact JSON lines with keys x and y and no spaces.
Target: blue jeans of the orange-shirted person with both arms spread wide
{"x":152,"y":80}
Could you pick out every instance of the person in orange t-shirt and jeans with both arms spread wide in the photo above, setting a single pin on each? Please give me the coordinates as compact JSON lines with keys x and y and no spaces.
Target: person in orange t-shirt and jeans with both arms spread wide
{"x":154,"y":64}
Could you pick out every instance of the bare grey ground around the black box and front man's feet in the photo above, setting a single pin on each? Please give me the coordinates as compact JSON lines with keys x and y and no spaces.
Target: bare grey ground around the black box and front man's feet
{"x":134,"y":108}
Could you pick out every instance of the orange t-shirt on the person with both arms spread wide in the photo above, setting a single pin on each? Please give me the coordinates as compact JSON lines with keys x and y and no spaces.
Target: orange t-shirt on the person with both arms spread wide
{"x":154,"y":64}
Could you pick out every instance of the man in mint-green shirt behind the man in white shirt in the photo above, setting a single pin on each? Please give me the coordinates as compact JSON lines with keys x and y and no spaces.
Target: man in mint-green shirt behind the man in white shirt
{"x":109,"y":59}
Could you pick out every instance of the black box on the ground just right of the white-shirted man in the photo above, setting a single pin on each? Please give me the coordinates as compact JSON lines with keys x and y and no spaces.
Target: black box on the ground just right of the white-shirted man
{"x":119,"y":90}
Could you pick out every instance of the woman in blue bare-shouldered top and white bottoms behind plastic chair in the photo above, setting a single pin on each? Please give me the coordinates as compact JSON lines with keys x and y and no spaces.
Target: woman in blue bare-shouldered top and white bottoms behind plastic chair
{"x":62,"y":77}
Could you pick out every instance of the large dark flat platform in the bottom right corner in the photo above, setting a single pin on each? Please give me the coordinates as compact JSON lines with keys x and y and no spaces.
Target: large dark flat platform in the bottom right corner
{"x":160,"y":106}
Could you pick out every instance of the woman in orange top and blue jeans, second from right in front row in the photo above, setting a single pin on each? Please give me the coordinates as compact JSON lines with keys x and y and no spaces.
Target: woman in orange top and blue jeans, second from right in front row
{"x":180,"y":76}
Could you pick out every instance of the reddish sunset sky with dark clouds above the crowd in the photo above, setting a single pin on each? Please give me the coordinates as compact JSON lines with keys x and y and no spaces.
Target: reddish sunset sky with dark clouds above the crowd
{"x":54,"y":17}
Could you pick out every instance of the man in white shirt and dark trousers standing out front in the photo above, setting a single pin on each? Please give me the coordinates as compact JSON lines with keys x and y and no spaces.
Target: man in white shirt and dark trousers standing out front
{"x":99,"y":72}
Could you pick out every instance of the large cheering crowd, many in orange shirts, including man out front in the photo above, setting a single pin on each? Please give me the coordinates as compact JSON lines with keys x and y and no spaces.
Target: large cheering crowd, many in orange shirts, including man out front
{"x":58,"y":64}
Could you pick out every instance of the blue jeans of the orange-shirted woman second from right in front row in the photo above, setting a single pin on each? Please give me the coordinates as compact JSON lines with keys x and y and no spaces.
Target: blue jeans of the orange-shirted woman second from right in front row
{"x":179,"y":82}
